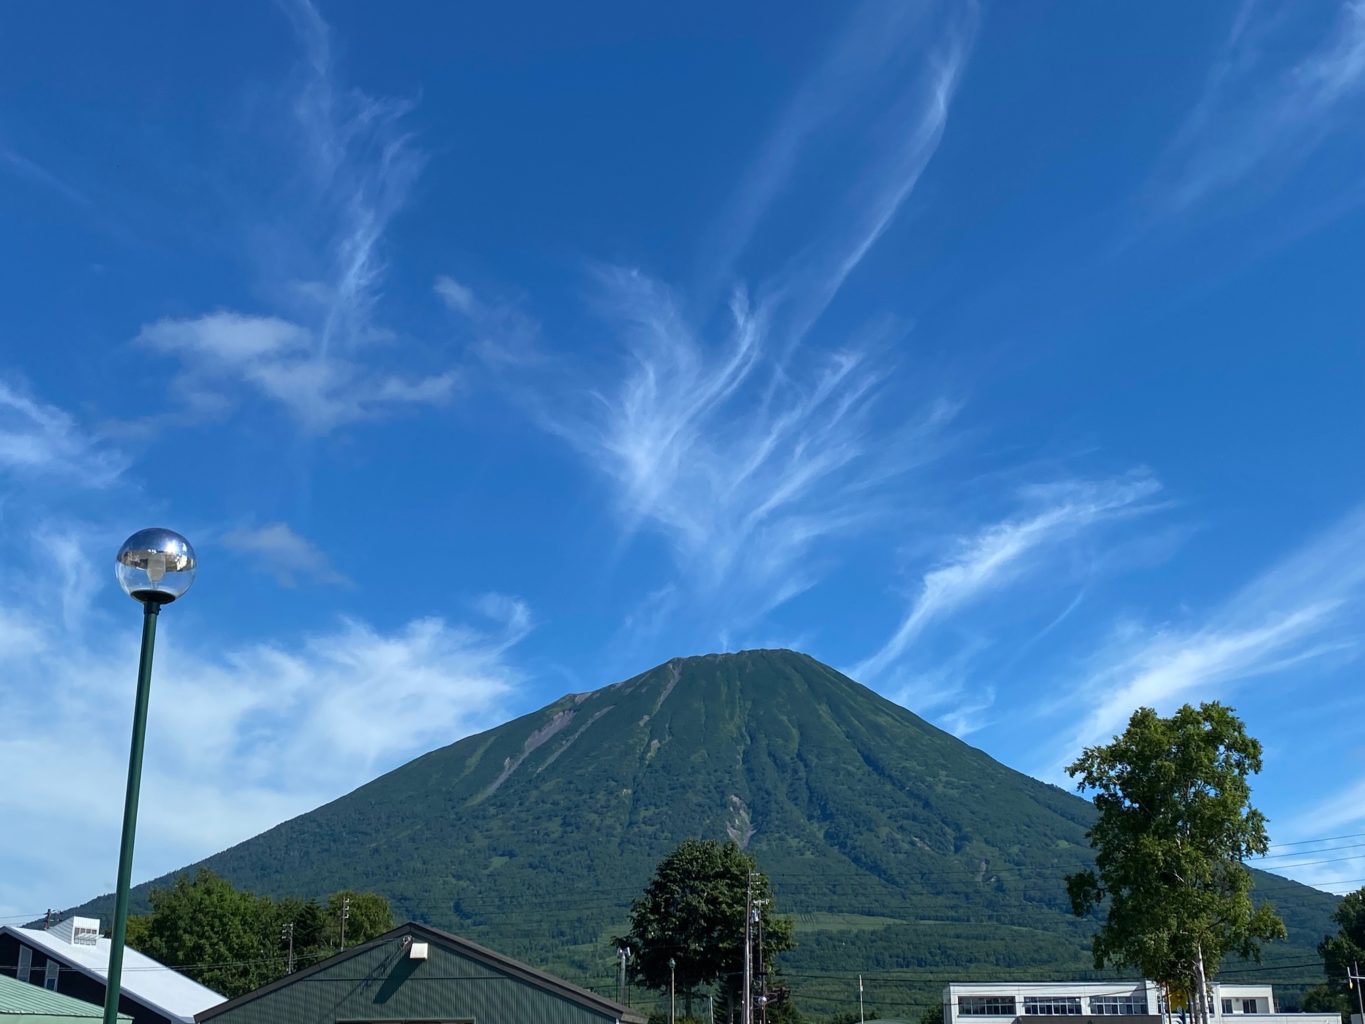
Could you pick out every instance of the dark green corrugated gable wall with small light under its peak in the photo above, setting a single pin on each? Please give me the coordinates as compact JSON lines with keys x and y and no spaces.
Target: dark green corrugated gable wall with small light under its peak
{"x":384,"y":985}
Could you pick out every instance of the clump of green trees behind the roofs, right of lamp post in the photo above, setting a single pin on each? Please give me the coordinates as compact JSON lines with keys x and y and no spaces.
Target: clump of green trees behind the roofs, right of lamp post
{"x":234,"y":941}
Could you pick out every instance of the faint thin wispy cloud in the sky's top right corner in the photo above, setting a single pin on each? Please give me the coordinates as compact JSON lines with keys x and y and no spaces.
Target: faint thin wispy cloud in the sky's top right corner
{"x":1266,"y":104}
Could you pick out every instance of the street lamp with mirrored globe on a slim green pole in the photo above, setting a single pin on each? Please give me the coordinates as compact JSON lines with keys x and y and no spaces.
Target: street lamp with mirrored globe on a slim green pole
{"x":155,"y":567}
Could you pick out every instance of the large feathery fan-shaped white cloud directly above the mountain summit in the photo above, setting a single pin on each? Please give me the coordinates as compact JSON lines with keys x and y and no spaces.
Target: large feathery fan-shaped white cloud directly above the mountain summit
{"x":746,"y":465}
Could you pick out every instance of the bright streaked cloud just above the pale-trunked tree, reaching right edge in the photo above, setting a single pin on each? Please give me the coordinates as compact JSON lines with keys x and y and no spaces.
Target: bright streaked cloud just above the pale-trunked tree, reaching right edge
{"x":1307,"y":608}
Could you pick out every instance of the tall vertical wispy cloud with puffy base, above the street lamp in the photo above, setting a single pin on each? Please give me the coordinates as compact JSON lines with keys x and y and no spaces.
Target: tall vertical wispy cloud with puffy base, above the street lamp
{"x":324,"y":360}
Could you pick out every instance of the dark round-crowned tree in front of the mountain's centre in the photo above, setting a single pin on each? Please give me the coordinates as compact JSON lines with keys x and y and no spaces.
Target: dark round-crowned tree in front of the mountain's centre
{"x":693,"y":913}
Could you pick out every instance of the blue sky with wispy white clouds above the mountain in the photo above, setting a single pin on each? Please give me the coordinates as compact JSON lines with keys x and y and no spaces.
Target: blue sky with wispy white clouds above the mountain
{"x":1008,"y":358}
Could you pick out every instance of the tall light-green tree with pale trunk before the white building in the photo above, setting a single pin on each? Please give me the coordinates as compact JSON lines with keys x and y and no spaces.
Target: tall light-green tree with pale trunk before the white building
{"x":1175,"y":827}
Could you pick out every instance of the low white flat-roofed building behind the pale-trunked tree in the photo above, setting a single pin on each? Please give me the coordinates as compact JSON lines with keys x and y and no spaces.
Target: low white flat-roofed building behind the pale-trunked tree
{"x":1015,"y":1001}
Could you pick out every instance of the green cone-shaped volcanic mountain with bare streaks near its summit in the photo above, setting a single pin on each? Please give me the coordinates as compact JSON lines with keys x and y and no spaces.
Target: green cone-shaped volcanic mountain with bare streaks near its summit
{"x":903,"y":853}
